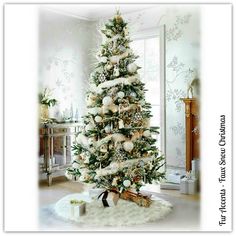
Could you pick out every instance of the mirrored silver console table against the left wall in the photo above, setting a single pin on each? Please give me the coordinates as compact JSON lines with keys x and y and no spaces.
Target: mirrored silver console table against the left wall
{"x":49,"y":133}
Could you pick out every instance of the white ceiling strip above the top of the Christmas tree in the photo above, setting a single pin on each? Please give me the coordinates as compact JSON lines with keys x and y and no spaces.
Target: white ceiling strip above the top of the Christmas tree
{"x":93,"y":12}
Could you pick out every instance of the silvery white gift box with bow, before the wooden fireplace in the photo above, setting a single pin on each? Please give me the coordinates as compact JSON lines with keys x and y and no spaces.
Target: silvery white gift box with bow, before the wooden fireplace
{"x":188,"y":185}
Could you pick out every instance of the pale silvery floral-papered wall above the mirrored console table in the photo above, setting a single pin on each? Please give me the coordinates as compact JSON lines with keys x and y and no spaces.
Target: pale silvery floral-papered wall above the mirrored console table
{"x":65,"y":61}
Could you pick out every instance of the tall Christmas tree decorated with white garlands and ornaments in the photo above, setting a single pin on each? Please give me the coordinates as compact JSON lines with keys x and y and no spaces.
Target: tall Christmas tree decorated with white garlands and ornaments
{"x":115,"y":149}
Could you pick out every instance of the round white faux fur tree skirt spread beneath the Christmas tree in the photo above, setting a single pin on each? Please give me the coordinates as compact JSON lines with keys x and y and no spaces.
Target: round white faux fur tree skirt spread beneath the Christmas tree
{"x":126,"y":213}
